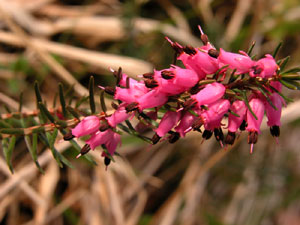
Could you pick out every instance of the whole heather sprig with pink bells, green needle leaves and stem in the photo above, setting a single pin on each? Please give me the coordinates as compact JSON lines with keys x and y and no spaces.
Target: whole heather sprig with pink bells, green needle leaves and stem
{"x":213,"y":84}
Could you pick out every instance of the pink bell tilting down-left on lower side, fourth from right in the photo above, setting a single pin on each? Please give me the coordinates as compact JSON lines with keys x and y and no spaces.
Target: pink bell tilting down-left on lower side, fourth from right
{"x":214,"y":115}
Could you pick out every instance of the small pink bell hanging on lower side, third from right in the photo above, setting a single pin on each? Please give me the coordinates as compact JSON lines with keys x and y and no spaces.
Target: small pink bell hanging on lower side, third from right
{"x":234,"y":122}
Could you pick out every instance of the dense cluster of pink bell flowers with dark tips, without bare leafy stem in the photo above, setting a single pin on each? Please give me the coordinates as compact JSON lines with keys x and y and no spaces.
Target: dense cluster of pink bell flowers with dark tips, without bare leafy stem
{"x":172,"y":102}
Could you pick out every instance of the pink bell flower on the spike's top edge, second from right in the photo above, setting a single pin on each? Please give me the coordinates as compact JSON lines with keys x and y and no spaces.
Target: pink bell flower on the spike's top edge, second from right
{"x":242,"y":63}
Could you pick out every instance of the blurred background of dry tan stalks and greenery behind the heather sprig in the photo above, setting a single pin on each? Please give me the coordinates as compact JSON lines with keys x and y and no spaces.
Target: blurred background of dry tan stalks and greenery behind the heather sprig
{"x":189,"y":182}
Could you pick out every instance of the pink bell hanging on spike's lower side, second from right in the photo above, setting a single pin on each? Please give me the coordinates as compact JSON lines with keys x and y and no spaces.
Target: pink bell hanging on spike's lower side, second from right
{"x":258,"y":109}
